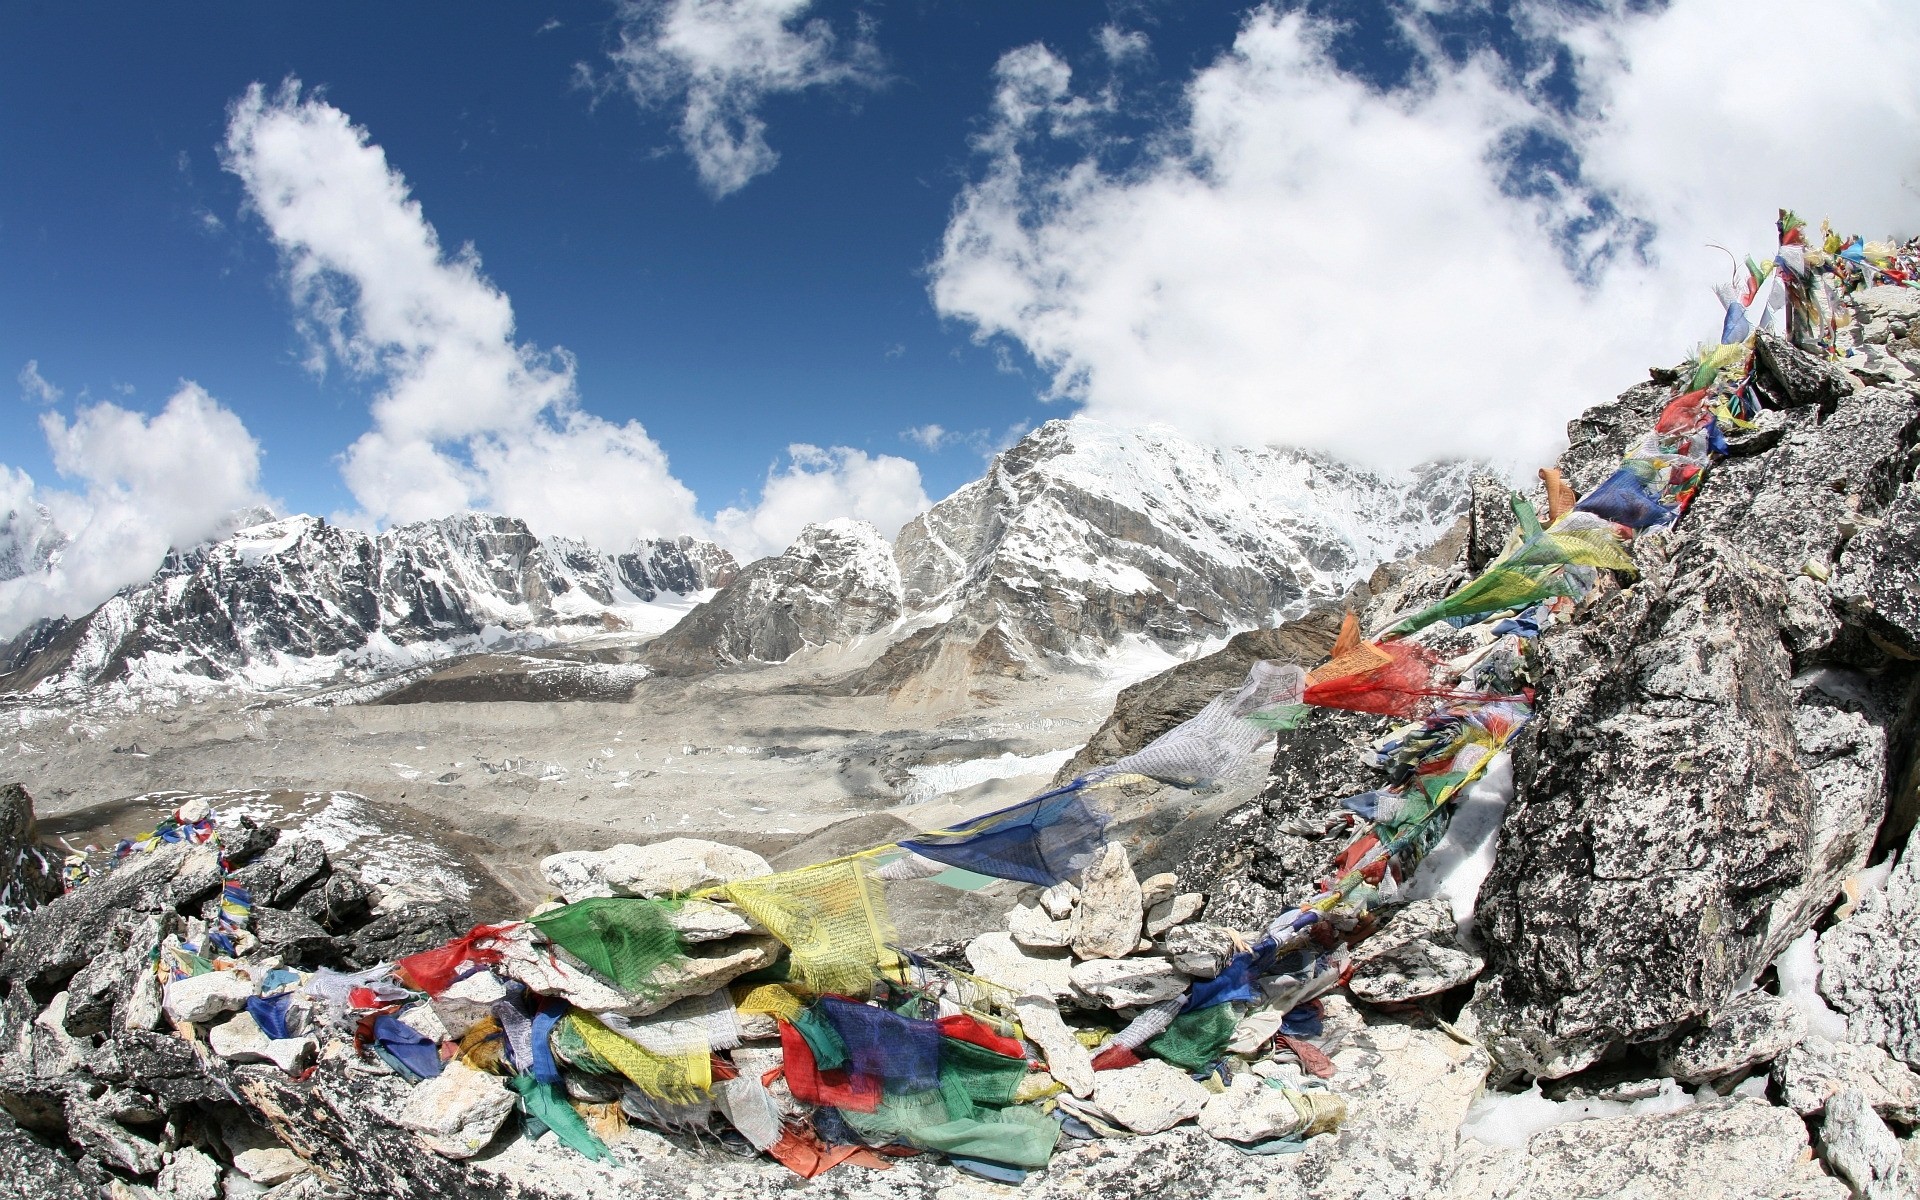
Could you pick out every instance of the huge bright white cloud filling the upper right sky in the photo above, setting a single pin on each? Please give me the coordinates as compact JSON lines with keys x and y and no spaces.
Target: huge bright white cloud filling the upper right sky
{"x":1387,"y":274}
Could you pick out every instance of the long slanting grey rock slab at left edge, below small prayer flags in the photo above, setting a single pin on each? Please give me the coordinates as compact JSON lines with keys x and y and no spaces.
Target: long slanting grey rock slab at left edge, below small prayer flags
{"x":59,"y":940}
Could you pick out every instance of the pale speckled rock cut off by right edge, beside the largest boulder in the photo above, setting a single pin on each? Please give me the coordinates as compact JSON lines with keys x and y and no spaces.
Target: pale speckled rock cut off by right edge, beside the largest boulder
{"x":1871,"y":963}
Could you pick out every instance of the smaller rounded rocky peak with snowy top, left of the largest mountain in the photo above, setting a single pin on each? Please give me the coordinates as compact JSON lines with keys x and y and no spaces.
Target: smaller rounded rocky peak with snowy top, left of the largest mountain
{"x":836,"y":583}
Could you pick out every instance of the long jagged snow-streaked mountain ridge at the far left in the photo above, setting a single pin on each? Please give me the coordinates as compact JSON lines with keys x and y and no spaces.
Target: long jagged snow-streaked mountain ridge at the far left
{"x":297,"y":600}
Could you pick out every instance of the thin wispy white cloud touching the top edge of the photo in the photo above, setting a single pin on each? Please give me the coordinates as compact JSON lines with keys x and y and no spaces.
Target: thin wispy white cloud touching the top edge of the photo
{"x":719,"y":60}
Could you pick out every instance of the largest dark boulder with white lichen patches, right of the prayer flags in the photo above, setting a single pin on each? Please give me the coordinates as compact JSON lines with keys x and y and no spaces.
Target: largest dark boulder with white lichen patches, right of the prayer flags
{"x":1677,"y":817}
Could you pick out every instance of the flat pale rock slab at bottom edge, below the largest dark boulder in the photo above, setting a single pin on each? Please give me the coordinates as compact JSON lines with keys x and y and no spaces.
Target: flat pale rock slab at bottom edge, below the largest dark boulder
{"x":1717,"y":1149}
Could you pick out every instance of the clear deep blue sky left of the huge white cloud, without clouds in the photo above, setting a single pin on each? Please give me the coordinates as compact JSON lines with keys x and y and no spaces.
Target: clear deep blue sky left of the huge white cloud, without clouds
{"x":794,"y":310}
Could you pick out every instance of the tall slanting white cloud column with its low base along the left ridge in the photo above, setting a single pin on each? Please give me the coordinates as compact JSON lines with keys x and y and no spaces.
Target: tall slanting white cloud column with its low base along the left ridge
{"x":468,"y":418}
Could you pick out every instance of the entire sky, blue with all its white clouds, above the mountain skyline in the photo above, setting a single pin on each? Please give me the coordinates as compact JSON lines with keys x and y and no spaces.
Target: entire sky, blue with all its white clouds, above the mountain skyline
{"x":780,"y":260}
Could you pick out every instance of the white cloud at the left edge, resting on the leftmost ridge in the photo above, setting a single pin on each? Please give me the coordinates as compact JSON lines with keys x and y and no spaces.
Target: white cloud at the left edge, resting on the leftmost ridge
{"x":145,"y":485}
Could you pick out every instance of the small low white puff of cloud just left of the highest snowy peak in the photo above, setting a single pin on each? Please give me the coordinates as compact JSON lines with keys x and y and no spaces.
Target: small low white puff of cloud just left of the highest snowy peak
{"x":819,"y":485}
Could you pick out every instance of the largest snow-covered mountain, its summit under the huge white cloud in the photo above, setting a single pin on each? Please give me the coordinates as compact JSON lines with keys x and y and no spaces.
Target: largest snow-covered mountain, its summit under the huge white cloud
{"x":1086,"y":533}
